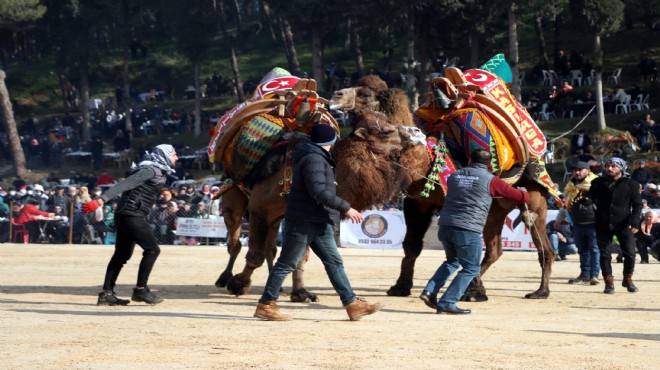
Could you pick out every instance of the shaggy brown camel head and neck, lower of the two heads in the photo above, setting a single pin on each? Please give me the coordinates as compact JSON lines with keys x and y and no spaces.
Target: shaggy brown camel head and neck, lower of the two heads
{"x":372,"y":161}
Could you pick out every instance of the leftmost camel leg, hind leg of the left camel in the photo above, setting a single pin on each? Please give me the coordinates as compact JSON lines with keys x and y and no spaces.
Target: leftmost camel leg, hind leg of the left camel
{"x":234,"y":204}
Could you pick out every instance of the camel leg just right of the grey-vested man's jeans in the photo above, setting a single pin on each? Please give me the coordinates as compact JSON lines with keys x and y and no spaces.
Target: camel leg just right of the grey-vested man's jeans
{"x":476,"y":291}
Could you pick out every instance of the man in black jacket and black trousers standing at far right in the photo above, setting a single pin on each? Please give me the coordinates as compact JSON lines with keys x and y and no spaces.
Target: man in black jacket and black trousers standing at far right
{"x":618,"y":212}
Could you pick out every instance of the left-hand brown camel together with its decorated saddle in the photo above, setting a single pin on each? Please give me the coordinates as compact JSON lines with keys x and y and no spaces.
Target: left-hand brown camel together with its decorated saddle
{"x":262,"y":191}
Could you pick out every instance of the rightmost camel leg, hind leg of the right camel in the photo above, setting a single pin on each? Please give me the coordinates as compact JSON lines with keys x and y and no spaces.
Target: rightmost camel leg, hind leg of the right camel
{"x":539,"y":205}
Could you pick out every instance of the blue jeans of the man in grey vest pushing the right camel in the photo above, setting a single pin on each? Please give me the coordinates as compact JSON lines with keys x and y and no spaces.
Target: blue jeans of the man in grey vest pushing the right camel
{"x":462,"y":248}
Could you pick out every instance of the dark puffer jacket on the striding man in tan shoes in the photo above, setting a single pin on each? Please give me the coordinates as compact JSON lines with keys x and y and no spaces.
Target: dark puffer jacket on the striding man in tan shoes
{"x":313,"y":195}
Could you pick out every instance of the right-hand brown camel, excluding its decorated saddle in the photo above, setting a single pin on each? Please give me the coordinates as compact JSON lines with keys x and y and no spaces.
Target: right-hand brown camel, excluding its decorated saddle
{"x":363,"y":187}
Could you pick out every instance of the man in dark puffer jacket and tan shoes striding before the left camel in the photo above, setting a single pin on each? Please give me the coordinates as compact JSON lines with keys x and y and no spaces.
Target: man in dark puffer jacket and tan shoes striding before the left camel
{"x":312,"y":211}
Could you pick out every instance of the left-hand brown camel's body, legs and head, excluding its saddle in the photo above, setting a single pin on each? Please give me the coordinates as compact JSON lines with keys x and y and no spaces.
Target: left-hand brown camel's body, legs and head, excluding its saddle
{"x":262,"y":195}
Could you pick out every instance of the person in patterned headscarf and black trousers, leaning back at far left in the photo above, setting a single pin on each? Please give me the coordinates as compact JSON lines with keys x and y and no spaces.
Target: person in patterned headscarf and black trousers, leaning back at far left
{"x":139,"y":193}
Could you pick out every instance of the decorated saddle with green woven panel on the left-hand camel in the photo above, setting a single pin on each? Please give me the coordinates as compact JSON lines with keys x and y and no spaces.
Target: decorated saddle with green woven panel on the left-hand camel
{"x":281,"y":104}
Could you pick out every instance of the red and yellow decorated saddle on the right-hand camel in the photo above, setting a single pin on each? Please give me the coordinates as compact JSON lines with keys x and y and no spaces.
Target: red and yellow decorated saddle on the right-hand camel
{"x":474,"y":109}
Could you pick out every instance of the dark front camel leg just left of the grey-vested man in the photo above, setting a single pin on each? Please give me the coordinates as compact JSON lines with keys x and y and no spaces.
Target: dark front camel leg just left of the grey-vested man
{"x":418,"y":219}
